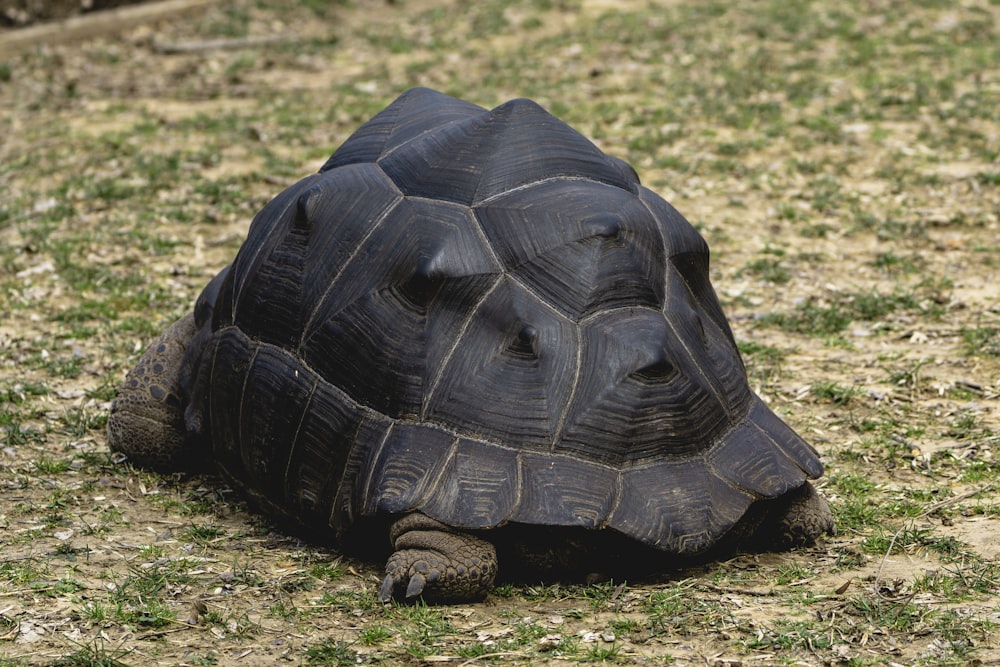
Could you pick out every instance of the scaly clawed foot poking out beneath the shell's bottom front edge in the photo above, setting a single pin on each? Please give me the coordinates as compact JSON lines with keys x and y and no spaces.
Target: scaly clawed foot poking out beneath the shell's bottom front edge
{"x":437,"y":562}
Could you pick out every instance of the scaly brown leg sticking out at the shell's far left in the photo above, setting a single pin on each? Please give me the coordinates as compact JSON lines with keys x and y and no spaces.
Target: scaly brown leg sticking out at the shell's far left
{"x":147,"y":416}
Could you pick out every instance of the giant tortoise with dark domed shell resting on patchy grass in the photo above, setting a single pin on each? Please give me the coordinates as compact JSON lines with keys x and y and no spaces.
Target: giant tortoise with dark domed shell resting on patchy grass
{"x":472,"y":331}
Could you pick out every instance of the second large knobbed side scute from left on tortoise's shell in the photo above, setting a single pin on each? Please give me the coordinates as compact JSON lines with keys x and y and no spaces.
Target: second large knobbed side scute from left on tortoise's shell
{"x":378,"y":329}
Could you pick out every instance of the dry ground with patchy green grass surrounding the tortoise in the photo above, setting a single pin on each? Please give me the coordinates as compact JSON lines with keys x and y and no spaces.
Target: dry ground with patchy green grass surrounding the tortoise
{"x":841,"y":158}
